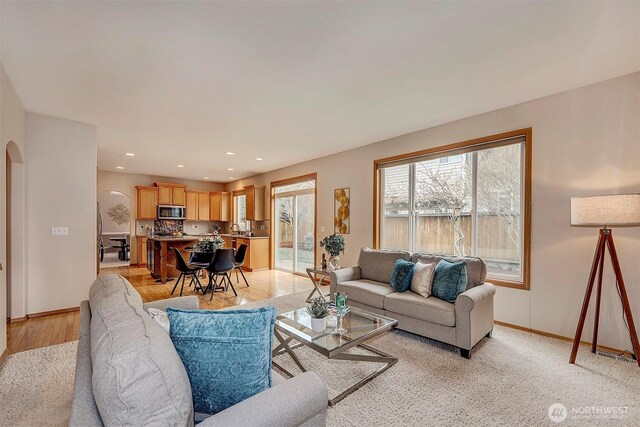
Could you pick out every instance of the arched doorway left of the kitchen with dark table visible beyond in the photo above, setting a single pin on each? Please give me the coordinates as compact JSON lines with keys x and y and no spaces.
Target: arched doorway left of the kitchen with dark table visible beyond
{"x":114,"y":229}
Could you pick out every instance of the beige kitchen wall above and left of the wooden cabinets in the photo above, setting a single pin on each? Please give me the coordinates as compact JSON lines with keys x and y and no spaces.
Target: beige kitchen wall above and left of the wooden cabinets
{"x":126,"y":184}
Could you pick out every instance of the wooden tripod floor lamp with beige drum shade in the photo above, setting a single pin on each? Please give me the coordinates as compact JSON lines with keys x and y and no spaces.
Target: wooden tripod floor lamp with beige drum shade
{"x":616,"y":210}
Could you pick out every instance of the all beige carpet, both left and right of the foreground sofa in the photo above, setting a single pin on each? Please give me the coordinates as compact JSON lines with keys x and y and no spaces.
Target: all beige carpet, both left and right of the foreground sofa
{"x":511,"y":380}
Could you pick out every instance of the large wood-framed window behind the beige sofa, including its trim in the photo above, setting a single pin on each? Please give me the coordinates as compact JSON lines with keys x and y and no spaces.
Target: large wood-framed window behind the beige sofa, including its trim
{"x":466,"y":199}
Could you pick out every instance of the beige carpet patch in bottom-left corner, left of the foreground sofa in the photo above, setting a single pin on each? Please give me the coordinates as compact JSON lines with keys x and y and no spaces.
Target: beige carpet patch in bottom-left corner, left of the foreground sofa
{"x":36,"y":386}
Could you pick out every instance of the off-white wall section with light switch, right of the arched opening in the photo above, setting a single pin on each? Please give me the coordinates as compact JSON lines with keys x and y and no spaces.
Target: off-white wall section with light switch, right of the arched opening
{"x":61,"y":191}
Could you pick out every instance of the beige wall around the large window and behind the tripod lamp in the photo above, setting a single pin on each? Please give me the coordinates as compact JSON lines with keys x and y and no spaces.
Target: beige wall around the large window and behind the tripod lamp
{"x":585,"y":141}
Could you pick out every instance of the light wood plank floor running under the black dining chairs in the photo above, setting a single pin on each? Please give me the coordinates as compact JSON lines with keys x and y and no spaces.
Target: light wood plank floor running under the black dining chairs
{"x":61,"y":328}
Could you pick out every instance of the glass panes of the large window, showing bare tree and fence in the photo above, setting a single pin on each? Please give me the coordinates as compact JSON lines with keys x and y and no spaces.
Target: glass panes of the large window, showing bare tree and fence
{"x":441,"y":218}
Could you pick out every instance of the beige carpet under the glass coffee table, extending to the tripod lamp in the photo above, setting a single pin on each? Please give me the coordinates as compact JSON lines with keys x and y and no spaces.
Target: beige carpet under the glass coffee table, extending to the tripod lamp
{"x":512,"y":379}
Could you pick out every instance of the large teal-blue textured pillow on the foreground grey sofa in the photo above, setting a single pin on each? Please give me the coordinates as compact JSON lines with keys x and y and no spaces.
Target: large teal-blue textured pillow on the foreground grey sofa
{"x":227,"y":354}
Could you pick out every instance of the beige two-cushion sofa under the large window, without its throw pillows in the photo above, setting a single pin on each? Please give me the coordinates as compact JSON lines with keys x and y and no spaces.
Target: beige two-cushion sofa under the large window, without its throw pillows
{"x":462,"y":324}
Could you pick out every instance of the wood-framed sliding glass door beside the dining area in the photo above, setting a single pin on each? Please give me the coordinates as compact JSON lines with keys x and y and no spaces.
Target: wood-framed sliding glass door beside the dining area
{"x":294,"y":223}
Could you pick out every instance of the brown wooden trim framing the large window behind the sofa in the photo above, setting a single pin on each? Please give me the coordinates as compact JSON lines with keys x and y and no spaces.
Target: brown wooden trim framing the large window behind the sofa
{"x":483,"y":141}
